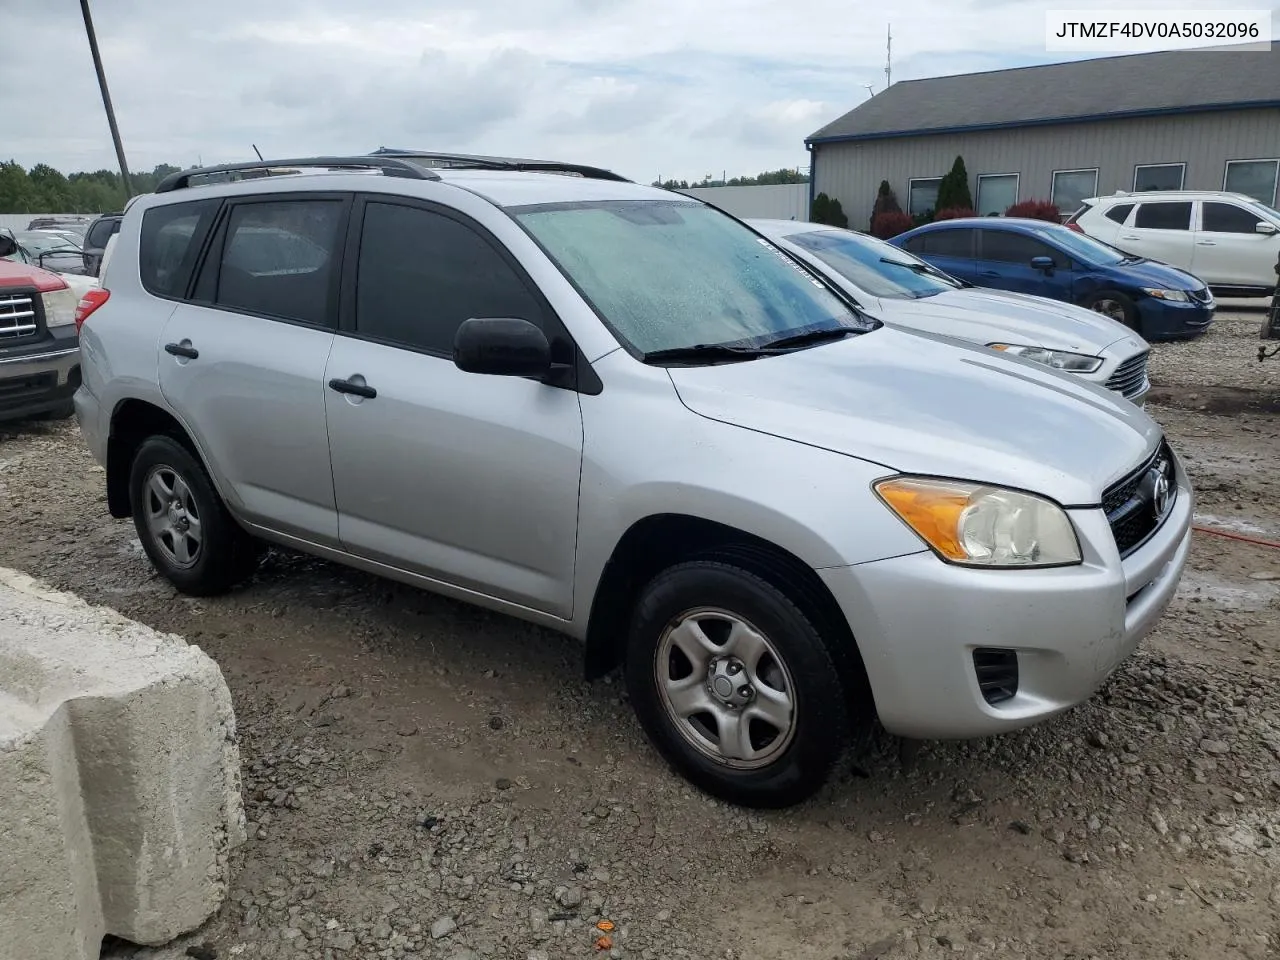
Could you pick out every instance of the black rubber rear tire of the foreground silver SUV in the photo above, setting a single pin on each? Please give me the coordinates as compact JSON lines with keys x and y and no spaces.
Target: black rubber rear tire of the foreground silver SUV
{"x":226,"y":554}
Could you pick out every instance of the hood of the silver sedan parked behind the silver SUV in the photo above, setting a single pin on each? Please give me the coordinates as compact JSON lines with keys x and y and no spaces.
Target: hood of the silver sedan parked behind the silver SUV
{"x":998,"y":317}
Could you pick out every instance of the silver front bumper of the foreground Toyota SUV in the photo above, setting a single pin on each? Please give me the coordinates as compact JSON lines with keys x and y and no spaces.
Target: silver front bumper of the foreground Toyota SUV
{"x":918,"y":621}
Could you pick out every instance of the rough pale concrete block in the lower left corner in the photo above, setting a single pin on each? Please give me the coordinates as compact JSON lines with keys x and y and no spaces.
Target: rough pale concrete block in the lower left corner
{"x":120,"y":779}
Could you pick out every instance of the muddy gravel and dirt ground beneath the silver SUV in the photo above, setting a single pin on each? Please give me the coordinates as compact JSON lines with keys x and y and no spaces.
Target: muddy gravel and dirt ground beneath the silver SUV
{"x":427,"y":780}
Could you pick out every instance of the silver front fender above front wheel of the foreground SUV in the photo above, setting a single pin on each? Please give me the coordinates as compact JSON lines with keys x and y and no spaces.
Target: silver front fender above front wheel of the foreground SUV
{"x":647,"y":455}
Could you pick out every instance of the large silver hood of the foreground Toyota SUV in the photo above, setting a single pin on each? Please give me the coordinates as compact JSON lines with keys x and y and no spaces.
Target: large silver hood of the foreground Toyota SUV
{"x":925,"y":405}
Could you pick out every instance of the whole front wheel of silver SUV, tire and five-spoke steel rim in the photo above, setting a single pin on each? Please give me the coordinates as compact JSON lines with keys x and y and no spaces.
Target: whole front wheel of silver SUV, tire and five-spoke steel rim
{"x":735,"y":687}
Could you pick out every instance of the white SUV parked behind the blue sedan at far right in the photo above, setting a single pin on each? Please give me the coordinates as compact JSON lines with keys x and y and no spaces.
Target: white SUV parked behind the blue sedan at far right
{"x":1231,"y":241}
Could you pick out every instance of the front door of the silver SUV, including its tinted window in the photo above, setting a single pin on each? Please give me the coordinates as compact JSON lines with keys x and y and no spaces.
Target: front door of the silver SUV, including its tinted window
{"x":463,"y":478}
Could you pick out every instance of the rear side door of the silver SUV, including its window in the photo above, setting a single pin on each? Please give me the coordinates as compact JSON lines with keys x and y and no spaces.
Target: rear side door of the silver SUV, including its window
{"x":243,"y":362}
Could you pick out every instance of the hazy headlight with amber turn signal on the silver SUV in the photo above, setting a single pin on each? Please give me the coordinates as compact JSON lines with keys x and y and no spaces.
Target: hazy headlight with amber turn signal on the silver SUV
{"x":984,"y":527}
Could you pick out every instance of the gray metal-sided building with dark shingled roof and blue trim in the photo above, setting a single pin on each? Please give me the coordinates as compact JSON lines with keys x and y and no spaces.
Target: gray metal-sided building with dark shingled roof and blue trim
{"x":1063,"y":132}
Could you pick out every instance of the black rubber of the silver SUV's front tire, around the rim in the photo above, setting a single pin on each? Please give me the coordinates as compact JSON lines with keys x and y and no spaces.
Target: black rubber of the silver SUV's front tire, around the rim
{"x":820,"y":723}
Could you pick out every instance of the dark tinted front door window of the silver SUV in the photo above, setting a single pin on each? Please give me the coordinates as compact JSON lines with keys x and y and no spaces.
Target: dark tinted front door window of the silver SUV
{"x":423,"y":273}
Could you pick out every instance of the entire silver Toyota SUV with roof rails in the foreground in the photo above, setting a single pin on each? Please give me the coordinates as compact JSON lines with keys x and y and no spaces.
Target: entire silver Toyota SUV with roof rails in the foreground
{"x":623,"y":414}
